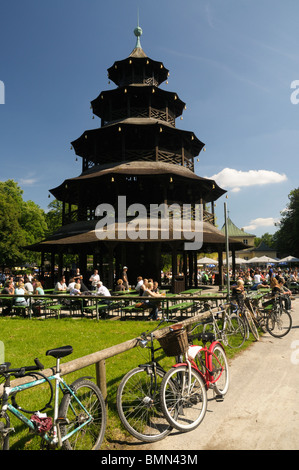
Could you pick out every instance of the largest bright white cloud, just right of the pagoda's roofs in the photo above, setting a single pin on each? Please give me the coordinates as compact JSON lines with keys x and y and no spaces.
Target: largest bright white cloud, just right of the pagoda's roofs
{"x":236,"y":179}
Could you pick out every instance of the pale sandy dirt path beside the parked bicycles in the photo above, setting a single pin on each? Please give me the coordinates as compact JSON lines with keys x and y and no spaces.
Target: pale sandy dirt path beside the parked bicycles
{"x":261,"y":408}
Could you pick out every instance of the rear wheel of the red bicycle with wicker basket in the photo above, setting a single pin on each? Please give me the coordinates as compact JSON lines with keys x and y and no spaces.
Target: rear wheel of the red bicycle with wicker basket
{"x":219,"y":366}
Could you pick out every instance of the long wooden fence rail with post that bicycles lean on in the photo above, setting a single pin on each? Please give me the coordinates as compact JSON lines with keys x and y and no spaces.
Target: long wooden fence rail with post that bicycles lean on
{"x":98,"y":358}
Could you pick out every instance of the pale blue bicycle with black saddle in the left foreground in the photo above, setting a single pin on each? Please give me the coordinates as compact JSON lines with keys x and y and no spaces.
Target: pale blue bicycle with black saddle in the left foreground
{"x":79,"y":422}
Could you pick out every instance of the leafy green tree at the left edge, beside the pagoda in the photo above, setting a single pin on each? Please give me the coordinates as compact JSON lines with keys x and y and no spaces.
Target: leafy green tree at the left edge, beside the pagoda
{"x":21,"y":224}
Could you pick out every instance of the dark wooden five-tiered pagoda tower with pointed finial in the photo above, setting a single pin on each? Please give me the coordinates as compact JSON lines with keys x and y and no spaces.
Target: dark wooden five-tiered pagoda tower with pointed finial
{"x":137,"y":153}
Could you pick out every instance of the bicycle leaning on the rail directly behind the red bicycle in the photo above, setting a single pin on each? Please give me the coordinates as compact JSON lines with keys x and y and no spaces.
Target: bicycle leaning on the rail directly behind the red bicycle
{"x":227,"y":326}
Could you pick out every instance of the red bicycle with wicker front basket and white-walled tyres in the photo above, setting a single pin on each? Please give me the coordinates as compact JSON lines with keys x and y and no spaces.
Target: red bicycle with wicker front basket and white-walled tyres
{"x":183,"y":391}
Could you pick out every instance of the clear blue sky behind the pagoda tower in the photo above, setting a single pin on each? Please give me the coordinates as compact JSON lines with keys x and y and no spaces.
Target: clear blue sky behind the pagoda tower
{"x":232,"y":62}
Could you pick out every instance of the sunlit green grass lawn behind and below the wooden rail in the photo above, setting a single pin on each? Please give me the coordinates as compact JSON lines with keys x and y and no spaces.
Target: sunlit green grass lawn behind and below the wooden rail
{"x":26,"y":339}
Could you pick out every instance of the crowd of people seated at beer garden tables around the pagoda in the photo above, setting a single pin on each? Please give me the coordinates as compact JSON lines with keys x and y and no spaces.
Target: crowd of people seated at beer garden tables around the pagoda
{"x":252,"y":278}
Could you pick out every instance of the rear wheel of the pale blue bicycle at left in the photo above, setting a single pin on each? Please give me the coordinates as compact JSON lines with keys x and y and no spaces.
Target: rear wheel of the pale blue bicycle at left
{"x":91,"y":435}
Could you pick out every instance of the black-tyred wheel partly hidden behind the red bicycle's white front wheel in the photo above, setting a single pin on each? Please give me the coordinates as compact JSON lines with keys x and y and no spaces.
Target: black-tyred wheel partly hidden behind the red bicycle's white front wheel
{"x":138,"y":404}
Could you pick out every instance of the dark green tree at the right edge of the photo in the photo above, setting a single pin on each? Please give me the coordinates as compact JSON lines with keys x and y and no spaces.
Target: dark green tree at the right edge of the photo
{"x":287,"y":237}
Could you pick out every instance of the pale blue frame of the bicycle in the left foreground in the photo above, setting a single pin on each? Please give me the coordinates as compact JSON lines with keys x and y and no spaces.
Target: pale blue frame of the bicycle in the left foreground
{"x":59,"y":384}
